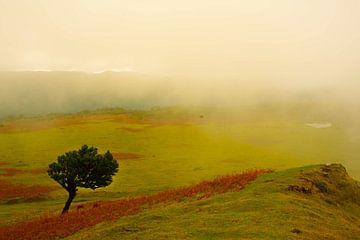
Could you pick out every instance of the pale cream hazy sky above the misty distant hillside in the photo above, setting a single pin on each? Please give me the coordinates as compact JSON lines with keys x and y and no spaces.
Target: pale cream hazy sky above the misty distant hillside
{"x":295,"y":41}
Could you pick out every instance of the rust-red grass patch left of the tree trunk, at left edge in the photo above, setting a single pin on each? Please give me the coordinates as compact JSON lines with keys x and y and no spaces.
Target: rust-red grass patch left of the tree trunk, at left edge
{"x":10,"y":190}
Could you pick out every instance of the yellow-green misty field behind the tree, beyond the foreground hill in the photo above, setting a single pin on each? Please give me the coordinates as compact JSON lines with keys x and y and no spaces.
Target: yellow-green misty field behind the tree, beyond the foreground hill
{"x":177,"y":153}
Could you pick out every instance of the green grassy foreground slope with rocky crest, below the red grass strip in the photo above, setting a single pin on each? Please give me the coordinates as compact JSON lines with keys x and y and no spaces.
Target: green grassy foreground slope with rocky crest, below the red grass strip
{"x":263,"y":210}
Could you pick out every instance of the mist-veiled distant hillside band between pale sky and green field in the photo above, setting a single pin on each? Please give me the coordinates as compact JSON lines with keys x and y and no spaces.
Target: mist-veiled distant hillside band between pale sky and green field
{"x":32,"y":93}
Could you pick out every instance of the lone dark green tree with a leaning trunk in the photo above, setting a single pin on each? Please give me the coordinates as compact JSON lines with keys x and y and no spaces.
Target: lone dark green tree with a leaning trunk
{"x":83,"y":168}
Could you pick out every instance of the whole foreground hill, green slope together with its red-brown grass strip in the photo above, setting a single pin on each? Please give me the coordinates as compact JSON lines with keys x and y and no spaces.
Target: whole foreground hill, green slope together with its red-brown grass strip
{"x":313,"y":202}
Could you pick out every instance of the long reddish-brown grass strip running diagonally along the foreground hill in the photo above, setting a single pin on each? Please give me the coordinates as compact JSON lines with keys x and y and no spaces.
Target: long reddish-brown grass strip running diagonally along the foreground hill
{"x":53,"y":227}
